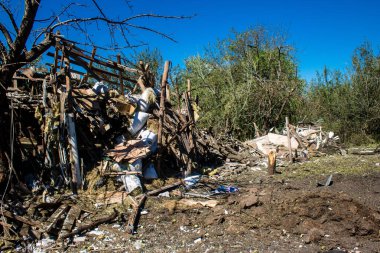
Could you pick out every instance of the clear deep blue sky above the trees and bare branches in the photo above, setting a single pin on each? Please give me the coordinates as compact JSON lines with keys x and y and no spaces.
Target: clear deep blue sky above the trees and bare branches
{"x":324,"y":32}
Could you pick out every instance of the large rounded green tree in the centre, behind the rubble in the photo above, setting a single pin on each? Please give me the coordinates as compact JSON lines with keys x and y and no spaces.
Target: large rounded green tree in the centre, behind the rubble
{"x":246,"y":78}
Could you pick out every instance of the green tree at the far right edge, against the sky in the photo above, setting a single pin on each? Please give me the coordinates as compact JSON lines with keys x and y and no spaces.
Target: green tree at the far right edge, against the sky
{"x":348,"y":103}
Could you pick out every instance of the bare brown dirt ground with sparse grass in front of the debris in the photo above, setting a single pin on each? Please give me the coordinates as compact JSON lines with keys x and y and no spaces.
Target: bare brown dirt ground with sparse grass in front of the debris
{"x":286,"y":212}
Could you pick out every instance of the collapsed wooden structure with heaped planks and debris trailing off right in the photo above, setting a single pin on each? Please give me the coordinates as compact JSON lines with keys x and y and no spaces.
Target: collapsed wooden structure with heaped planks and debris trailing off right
{"x":112,"y":122}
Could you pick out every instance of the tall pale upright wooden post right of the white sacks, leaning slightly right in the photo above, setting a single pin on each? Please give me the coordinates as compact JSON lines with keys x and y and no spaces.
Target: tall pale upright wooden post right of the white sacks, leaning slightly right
{"x":162,"y":115}
